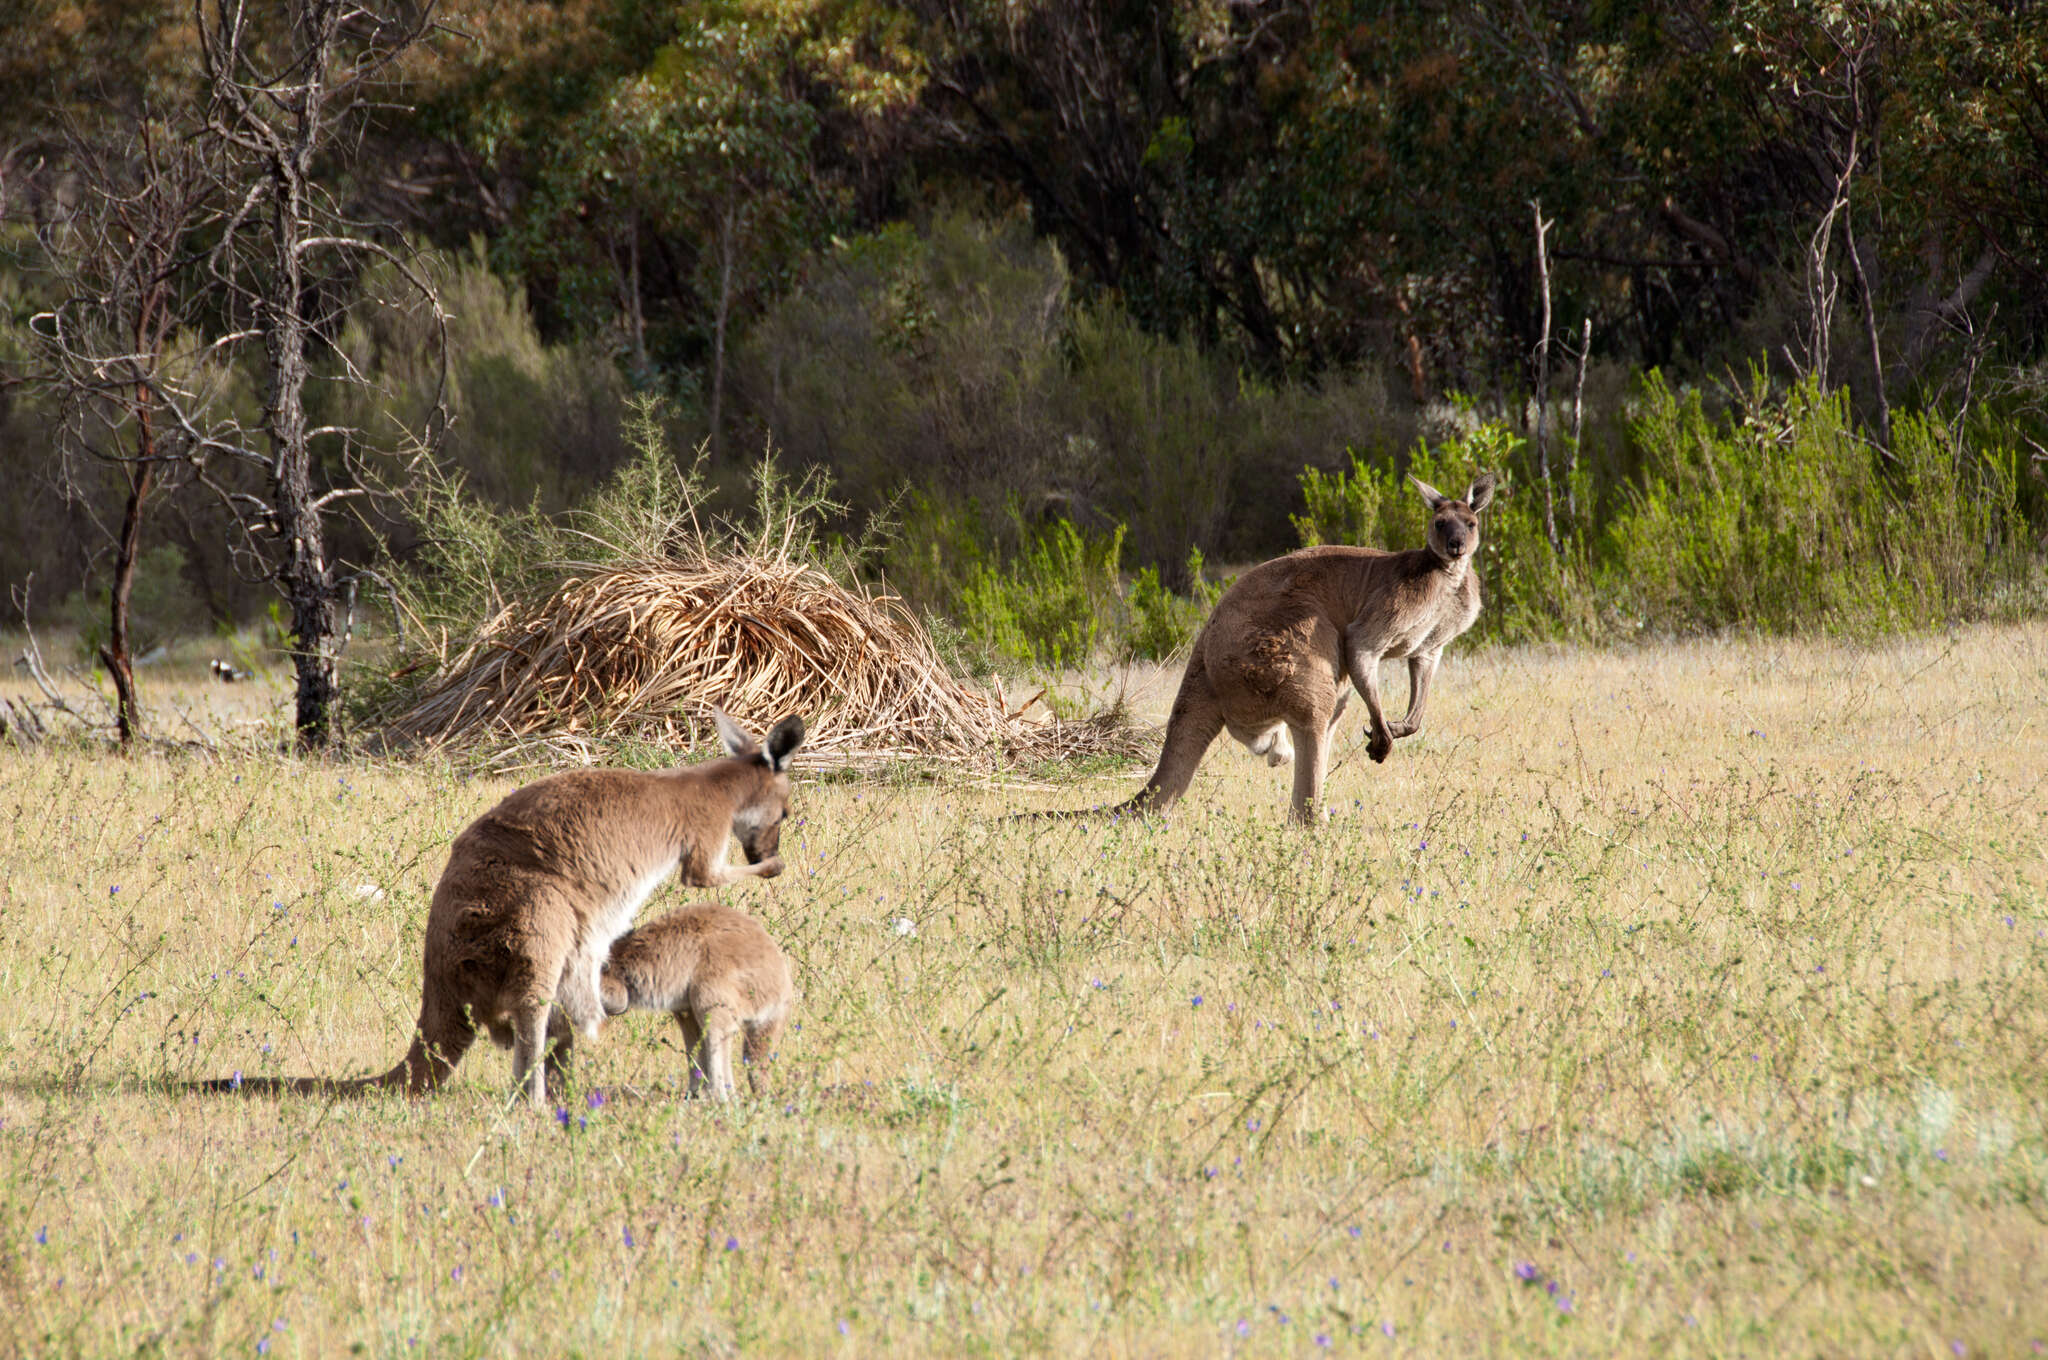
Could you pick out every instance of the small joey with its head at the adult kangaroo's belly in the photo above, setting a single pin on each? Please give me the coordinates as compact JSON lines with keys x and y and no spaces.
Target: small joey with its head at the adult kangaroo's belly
{"x":720,"y":974}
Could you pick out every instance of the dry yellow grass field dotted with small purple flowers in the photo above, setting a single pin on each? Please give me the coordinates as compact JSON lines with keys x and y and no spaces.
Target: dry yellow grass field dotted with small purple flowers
{"x":1687,"y":1001}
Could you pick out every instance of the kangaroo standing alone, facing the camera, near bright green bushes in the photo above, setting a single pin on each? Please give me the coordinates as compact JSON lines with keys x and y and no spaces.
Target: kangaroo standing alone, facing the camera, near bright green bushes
{"x":1275,"y":654}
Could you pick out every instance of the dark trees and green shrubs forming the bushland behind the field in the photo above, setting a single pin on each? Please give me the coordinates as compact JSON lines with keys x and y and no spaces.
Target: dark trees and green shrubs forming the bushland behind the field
{"x":1078,"y":292}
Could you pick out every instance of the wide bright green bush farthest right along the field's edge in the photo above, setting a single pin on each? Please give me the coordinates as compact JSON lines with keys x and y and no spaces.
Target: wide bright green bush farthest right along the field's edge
{"x":1789,"y":517}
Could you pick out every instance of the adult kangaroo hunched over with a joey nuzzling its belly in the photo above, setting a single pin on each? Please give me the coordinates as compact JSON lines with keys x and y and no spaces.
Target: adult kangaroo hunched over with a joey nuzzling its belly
{"x":538,"y":890}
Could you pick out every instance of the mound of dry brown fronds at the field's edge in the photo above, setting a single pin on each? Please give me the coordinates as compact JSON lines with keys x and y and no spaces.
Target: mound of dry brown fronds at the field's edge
{"x":644,"y":652}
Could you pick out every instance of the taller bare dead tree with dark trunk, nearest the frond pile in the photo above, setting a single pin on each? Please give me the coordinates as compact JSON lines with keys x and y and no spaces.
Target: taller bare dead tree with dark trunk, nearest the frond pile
{"x":286,"y":91}
